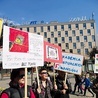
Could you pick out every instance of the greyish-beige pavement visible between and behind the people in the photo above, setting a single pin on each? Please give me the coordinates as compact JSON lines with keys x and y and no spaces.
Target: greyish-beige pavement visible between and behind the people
{"x":4,"y":83}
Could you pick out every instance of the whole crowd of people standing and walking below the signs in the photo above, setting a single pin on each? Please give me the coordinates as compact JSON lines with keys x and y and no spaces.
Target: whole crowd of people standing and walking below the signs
{"x":47,"y":87}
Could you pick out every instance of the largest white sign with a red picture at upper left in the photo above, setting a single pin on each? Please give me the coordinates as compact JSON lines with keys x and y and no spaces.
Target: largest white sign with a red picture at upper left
{"x":21,"y":49}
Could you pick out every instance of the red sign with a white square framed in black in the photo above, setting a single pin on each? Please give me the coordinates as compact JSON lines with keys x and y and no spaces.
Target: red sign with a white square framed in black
{"x":52,"y":53}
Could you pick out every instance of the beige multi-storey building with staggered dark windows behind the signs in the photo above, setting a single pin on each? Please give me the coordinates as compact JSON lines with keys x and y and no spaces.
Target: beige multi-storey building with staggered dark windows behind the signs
{"x":75,"y":37}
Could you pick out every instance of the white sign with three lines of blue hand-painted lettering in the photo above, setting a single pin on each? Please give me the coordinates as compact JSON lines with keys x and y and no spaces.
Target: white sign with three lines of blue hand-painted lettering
{"x":72,"y":63}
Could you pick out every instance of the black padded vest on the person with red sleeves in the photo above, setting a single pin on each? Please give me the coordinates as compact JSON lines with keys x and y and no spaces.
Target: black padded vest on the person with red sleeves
{"x":14,"y":91}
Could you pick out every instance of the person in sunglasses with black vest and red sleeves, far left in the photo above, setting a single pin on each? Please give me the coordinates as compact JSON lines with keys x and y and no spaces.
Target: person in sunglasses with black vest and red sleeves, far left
{"x":17,"y":83}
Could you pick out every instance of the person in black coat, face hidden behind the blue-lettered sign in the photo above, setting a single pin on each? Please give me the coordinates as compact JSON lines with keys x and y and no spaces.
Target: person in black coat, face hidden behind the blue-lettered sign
{"x":63,"y":89}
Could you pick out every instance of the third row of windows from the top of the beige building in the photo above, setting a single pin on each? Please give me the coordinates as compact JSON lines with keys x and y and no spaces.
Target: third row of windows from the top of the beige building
{"x":71,"y":40}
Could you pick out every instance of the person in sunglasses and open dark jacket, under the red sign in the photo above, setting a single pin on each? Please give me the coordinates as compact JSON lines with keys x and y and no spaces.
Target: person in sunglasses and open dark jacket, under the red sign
{"x":45,"y":88}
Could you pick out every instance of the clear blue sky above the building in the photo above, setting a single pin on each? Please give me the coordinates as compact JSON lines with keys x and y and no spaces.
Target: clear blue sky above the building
{"x":21,"y":11}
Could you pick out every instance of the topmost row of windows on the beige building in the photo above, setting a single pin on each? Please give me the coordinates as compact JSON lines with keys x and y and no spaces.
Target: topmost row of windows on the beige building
{"x":62,"y":27}
